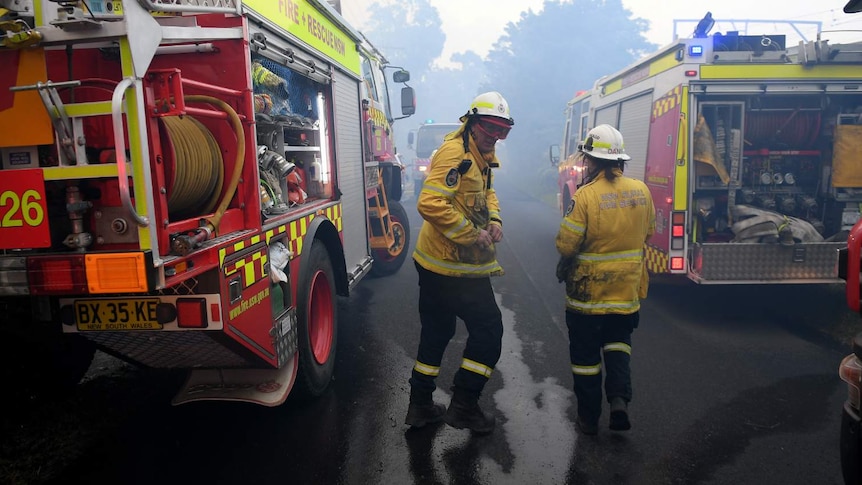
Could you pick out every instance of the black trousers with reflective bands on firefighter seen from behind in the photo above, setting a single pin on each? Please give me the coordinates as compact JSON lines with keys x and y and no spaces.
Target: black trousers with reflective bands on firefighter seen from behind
{"x":596,"y":343}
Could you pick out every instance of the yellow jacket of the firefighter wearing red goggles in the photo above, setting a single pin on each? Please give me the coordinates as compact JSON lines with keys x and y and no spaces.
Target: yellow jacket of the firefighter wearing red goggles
{"x":458,"y":200}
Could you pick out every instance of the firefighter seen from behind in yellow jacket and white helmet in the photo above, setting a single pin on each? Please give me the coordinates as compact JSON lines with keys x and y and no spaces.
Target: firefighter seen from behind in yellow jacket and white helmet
{"x":601,"y":242}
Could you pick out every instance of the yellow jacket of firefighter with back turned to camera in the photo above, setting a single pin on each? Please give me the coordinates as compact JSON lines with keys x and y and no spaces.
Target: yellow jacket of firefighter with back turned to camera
{"x":604,"y":232}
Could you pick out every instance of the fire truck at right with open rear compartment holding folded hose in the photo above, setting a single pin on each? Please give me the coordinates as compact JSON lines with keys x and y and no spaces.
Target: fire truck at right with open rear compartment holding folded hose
{"x":748,"y":146}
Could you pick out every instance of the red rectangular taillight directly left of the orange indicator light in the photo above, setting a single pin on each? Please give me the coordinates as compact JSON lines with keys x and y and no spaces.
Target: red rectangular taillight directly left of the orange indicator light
{"x":57,"y":275}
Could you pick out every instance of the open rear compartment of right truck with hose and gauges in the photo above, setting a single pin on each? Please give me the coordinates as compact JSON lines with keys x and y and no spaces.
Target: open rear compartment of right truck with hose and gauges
{"x":764,"y":157}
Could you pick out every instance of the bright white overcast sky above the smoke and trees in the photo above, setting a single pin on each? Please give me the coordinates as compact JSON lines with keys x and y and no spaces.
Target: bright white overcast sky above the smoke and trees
{"x":464,"y":31}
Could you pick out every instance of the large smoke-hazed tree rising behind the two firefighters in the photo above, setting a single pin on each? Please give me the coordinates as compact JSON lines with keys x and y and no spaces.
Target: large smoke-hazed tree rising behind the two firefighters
{"x":543,"y":59}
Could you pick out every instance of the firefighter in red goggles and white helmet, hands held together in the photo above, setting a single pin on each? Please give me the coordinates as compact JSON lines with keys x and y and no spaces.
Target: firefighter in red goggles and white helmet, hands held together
{"x":455,"y":258}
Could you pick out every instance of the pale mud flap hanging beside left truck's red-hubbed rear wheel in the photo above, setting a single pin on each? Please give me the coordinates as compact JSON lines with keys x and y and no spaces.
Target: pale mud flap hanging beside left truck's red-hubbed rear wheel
{"x":267,"y":387}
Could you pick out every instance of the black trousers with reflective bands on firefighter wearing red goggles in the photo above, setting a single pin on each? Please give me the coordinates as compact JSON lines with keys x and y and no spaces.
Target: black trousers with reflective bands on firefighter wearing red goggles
{"x":442,"y":299}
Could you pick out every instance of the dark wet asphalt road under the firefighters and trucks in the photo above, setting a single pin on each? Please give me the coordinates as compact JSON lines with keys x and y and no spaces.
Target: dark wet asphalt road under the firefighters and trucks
{"x":731,"y":386}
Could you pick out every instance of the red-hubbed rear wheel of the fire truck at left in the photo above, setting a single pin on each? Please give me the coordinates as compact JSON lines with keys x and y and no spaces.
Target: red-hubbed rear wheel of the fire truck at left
{"x":318,"y":322}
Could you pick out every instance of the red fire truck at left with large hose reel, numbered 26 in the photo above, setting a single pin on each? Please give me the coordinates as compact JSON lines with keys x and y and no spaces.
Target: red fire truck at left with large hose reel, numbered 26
{"x":189,"y":185}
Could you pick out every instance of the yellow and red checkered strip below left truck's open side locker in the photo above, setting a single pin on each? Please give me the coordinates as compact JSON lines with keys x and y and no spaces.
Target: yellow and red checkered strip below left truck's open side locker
{"x":295,"y":229}
